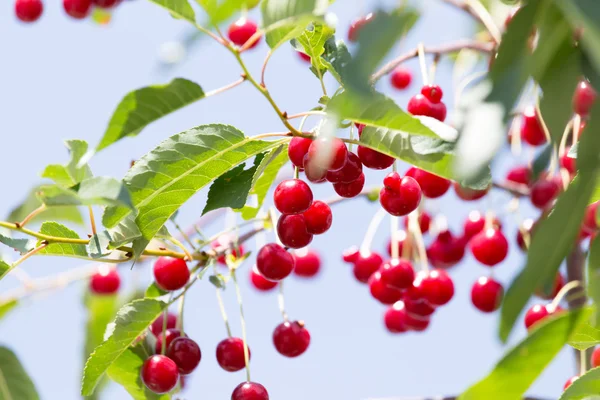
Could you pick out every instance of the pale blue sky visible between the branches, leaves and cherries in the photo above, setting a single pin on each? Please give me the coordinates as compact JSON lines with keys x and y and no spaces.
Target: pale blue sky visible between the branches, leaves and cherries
{"x":62,"y":79}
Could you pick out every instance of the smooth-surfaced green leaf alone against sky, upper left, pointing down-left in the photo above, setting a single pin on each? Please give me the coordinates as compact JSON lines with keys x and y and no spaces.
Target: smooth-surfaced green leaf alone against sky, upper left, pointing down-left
{"x":143,"y":106}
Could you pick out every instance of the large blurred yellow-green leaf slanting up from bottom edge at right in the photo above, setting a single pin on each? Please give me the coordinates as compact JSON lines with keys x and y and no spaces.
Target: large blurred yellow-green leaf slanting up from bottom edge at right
{"x":521,"y":365}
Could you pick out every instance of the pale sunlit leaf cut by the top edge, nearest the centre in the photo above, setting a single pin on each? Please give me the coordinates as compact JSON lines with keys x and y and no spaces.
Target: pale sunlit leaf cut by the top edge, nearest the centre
{"x":283,"y":20}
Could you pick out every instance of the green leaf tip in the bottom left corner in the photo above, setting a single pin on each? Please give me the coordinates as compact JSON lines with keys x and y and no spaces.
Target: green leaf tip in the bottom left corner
{"x":15,"y":383}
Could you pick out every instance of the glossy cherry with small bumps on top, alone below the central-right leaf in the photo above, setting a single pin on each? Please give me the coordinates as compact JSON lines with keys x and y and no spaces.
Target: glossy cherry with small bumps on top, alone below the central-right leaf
{"x":399,"y":196}
